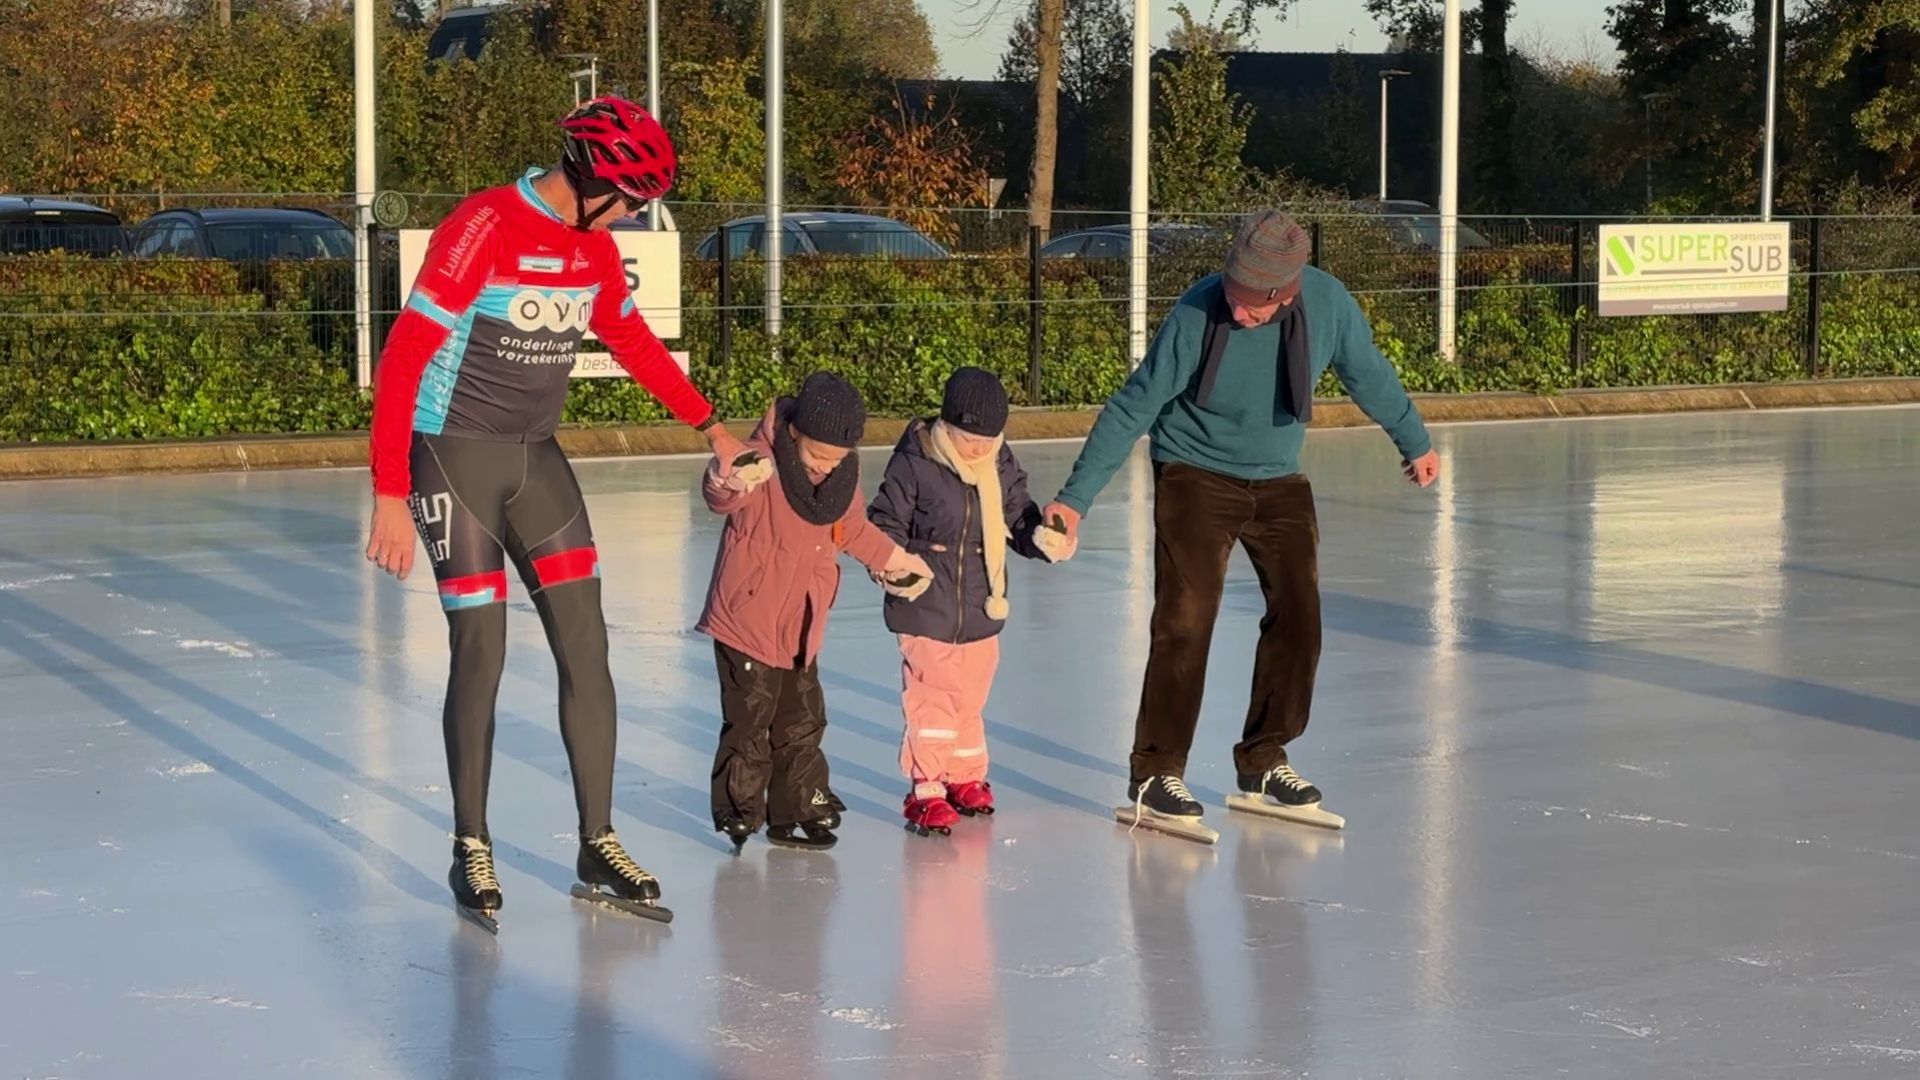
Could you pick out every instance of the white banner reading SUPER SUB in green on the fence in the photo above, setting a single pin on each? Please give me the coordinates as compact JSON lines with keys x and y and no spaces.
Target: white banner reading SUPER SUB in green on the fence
{"x":1694,"y":268}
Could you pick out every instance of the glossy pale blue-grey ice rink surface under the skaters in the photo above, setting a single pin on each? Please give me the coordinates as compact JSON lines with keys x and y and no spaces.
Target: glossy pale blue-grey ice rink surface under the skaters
{"x":1623,"y":718}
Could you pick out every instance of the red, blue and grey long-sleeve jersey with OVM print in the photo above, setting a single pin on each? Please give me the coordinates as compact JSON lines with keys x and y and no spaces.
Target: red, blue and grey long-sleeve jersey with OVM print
{"x":491,"y":331}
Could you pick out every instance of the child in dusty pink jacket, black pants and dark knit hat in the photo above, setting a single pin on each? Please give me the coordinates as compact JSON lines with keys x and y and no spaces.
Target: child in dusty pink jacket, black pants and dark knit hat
{"x":775,"y":579}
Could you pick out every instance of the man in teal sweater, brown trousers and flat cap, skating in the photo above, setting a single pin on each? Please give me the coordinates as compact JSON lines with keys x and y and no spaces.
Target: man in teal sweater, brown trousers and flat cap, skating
{"x":1226,"y":395}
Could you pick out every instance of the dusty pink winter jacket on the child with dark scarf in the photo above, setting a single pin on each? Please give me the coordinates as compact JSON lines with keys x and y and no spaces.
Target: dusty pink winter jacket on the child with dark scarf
{"x":773,"y":562}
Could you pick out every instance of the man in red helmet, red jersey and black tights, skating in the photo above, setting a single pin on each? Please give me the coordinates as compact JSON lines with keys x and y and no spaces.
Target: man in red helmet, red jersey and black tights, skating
{"x":468,"y":399}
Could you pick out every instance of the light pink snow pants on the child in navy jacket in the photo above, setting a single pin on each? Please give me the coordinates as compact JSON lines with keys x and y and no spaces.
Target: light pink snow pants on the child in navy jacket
{"x":944,"y":693}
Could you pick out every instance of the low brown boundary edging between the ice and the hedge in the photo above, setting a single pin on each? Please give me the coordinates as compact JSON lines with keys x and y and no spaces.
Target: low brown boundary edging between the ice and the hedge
{"x":640,"y":441}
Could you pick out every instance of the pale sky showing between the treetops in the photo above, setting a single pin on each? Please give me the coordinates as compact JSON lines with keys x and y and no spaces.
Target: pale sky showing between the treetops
{"x":1573,"y":30}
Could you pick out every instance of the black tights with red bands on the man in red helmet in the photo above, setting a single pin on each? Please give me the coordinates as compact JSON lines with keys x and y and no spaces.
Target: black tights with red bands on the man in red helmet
{"x":477,"y":504}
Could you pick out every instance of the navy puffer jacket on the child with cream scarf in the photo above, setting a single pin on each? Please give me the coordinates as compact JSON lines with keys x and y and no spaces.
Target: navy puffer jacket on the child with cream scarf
{"x":934,"y":514}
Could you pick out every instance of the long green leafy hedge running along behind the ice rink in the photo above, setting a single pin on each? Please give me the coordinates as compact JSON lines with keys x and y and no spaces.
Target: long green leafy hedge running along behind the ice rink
{"x":164,"y":349}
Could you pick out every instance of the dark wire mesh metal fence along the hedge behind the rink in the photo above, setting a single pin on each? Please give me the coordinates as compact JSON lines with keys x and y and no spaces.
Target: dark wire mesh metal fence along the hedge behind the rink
{"x":214,"y":345}
